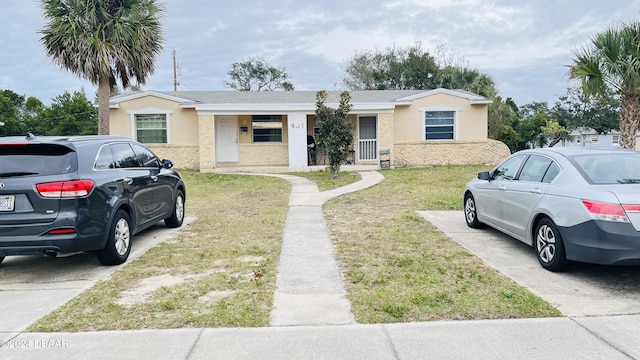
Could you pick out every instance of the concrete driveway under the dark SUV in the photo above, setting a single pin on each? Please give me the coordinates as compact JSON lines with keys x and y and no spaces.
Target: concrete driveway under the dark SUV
{"x":33,"y":286}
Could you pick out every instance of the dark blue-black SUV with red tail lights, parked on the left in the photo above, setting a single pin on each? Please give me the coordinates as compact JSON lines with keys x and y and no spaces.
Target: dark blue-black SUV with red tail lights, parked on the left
{"x":62,"y":195}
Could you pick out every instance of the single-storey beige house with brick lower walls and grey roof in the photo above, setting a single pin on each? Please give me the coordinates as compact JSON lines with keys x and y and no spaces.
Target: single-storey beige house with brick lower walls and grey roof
{"x":214,"y":129}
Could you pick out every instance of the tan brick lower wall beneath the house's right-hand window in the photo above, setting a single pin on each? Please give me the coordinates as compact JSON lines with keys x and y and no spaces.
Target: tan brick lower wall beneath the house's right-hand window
{"x":445,"y":153}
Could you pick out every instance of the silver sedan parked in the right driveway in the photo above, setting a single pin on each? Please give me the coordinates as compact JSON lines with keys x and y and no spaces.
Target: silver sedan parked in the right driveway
{"x":569,"y":204}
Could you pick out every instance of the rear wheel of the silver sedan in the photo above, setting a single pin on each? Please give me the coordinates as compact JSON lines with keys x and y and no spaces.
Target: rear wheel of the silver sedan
{"x":549,"y":246}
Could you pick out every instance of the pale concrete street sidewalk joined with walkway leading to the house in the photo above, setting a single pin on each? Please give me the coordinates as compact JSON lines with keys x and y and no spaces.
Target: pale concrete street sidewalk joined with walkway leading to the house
{"x":312,"y":319}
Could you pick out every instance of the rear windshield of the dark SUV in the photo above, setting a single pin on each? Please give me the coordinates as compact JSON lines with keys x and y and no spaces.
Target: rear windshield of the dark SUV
{"x":36,"y":159}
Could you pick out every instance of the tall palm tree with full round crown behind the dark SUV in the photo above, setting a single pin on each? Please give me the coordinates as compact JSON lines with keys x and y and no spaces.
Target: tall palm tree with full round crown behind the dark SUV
{"x":102,"y":41}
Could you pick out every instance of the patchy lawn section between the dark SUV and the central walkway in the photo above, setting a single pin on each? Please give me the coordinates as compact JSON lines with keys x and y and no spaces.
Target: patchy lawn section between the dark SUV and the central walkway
{"x":238,"y":233}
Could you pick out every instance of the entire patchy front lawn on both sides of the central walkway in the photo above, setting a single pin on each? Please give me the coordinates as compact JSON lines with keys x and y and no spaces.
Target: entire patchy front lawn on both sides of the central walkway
{"x":396,"y":266}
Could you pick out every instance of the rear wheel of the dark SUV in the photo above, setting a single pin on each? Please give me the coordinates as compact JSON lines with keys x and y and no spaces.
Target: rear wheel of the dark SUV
{"x":118,"y":246}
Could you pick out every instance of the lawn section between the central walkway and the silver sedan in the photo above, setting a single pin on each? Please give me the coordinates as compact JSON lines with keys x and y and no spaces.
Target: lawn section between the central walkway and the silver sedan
{"x":399,"y":268}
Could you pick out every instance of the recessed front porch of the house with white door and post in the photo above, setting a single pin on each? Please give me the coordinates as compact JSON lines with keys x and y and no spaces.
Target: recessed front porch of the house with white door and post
{"x":280,"y":140}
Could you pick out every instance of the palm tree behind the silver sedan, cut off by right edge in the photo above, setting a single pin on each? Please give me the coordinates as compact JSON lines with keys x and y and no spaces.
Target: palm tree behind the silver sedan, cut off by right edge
{"x":613,"y":63}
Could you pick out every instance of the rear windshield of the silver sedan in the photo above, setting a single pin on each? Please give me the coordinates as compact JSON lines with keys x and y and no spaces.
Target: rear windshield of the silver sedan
{"x":615,"y":168}
